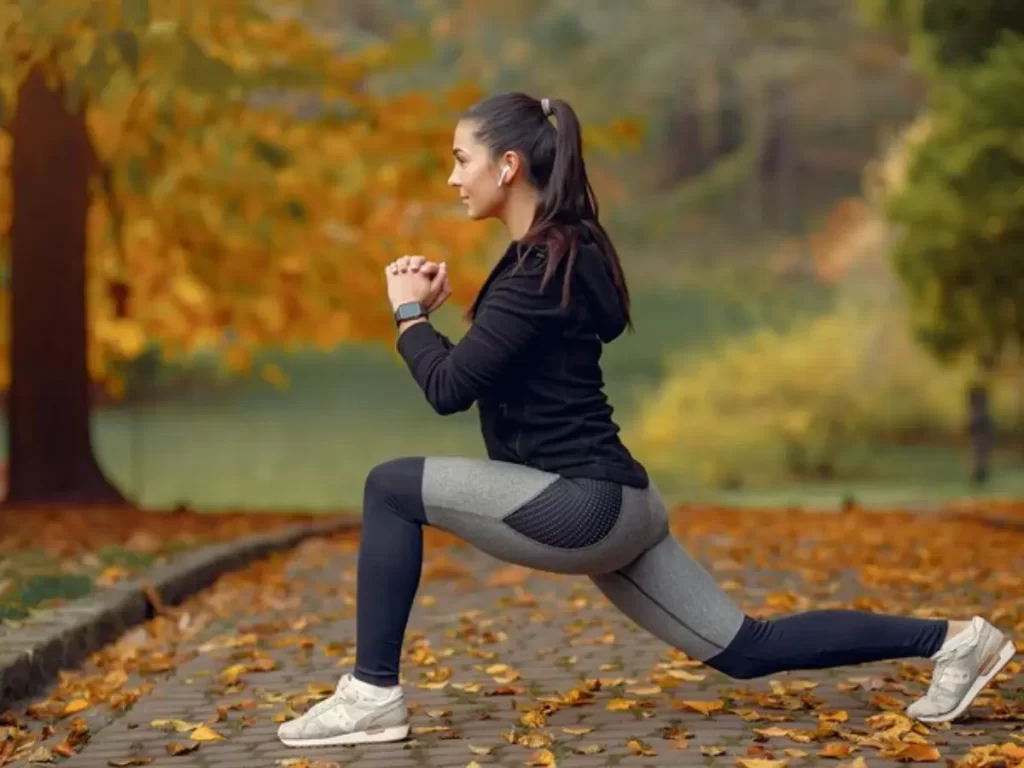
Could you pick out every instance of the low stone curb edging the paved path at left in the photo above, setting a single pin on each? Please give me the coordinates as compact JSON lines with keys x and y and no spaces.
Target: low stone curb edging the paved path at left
{"x":31,"y":657}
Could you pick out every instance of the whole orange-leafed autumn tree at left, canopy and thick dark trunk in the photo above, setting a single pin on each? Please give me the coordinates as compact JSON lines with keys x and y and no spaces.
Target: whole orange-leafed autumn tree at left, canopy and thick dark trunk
{"x":190,"y":176}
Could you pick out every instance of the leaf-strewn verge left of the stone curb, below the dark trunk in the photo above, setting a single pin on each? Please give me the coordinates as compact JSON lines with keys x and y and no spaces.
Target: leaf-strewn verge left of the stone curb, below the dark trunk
{"x":50,"y":557}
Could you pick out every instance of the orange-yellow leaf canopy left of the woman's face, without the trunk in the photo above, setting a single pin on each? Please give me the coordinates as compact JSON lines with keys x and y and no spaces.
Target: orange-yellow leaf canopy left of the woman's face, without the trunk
{"x":258,"y":183}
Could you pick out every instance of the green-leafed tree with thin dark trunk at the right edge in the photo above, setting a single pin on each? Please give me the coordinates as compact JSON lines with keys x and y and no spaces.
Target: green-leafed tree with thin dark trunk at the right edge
{"x":955,"y":197}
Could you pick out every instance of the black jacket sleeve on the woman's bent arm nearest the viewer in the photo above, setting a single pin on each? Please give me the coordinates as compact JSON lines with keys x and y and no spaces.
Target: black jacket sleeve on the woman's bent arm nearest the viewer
{"x":514,"y":317}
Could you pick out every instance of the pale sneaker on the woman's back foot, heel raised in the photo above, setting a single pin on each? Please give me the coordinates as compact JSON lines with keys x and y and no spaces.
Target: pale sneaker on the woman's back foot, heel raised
{"x":962,"y":672}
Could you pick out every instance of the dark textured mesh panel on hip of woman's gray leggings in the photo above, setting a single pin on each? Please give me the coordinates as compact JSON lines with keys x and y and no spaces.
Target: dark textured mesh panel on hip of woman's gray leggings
{"x":570,"y":514}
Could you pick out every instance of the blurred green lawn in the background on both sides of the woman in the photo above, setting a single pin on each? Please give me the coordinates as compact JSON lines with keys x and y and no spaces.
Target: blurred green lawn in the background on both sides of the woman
{"x":311,"y":448}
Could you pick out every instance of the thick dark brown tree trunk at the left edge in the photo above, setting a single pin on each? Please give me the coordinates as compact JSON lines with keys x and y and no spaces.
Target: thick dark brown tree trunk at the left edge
{"x":50,"y":446}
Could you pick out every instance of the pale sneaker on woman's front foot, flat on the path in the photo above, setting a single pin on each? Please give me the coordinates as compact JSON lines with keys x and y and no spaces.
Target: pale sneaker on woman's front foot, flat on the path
{"x":350,"y":716}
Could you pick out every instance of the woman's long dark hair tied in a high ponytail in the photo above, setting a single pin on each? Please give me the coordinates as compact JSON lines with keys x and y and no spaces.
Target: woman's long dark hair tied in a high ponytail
{"x":553,"y":161}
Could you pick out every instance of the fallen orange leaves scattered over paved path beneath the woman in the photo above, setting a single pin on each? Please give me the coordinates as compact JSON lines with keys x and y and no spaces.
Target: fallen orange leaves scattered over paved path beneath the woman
{"x":774,"y":562}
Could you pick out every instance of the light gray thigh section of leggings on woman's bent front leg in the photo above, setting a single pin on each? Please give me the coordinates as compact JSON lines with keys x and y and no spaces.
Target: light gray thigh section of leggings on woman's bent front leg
{"x":471,"y":497}
